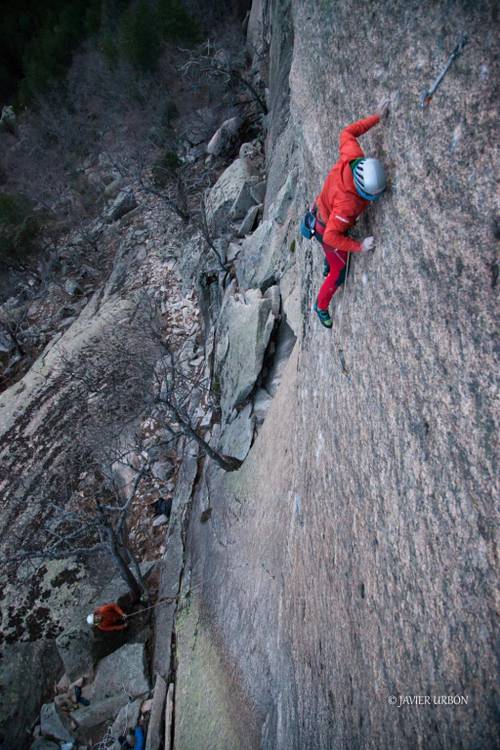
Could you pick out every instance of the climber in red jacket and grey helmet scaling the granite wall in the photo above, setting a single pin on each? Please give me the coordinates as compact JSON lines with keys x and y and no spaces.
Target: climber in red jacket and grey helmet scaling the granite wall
{"x":352,"y":183}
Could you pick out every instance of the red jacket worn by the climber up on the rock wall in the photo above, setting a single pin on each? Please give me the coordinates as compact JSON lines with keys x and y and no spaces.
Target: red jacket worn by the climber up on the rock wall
{"x":339,"y":204}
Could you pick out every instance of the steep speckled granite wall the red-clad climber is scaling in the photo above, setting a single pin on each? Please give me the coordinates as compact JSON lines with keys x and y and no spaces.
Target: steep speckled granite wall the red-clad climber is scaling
{"x":352,"y":557}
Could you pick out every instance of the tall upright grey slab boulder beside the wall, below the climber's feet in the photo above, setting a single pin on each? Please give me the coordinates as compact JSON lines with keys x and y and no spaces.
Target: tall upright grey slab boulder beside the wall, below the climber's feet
{"x":244,"y":332}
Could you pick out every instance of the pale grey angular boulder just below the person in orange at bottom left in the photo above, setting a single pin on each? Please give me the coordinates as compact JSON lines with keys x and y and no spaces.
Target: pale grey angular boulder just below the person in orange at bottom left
{"x":123,"y":671}
